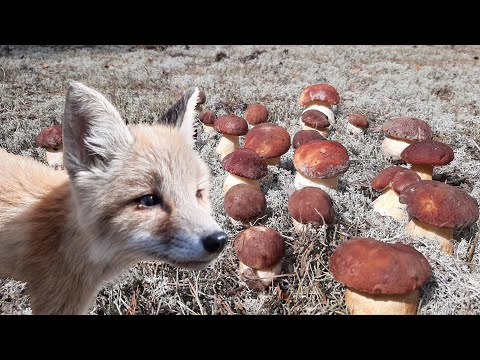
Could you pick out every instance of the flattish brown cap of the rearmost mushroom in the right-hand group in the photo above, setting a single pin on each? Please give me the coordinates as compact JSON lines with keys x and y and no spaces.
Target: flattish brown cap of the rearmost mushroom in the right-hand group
{"x":409,"y":128}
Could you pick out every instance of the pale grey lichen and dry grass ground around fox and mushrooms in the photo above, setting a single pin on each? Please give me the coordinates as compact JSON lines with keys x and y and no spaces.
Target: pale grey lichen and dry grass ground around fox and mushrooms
{"x":436,"y":83}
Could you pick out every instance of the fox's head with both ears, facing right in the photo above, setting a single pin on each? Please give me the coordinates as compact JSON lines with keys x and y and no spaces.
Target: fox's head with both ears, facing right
{"x":139,"y":191}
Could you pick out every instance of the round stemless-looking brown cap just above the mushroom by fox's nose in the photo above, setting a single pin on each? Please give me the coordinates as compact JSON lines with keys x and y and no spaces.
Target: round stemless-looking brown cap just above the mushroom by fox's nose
{"x":244,"y":202}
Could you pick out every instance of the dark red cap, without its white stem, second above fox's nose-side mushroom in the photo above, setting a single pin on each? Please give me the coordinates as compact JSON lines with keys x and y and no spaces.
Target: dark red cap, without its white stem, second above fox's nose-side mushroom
{"x":245,"y":163}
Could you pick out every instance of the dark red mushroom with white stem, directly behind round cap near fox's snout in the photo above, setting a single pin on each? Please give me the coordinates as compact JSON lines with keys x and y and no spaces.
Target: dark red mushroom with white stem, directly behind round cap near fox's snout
{"x":243,"y":166}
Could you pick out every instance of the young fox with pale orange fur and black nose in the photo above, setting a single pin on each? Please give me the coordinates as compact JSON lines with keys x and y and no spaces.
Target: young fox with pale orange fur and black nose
{"x":127,"y":193}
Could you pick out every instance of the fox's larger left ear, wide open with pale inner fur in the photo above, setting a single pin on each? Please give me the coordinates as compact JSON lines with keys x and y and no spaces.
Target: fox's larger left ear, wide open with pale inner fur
{"x":93,"y":131}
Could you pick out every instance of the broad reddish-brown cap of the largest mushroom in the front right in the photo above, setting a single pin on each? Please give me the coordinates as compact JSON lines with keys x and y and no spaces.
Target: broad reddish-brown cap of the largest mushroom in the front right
{"x":374,"y":267}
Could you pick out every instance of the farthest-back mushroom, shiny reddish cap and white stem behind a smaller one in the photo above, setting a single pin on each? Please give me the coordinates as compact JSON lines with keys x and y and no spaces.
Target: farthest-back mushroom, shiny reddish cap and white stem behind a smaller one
{"x":320,"y":97}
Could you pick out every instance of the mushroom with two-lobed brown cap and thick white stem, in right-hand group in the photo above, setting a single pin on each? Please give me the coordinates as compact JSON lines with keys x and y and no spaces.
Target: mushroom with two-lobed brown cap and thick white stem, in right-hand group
{"x":391,"y":182}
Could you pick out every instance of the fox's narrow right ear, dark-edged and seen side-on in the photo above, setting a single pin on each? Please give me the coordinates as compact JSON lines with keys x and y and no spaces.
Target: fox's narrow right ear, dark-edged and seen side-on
{"x":182,"y":114}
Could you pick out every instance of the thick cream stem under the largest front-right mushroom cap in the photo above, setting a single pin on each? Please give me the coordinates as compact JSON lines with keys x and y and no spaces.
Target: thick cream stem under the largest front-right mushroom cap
{"x":371,"y":304}
